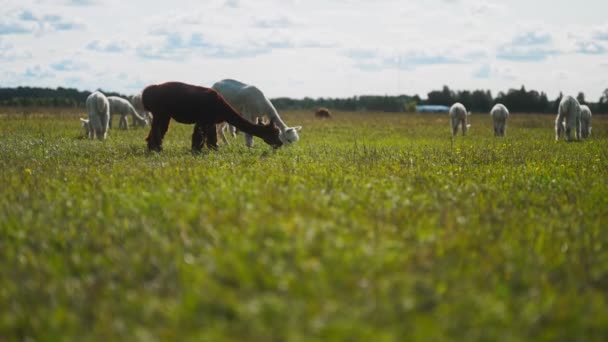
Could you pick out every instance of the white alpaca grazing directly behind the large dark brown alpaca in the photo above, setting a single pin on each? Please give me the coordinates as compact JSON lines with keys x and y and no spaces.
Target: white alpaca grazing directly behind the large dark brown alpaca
{"x":251,"y":103}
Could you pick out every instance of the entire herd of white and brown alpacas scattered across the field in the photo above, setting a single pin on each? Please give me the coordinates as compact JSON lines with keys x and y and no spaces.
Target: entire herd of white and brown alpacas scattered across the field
{"x":230,"y":105}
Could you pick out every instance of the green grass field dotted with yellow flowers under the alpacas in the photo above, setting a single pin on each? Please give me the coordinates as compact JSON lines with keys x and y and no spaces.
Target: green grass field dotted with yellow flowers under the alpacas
{"x":374,"y":227}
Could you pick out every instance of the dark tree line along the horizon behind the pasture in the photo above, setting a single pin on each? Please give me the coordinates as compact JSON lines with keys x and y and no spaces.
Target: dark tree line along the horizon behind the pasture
{"x":517,"y":100}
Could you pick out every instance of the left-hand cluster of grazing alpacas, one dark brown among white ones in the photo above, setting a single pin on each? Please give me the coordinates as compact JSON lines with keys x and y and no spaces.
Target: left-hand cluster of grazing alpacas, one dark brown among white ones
{"x":213,"y":111}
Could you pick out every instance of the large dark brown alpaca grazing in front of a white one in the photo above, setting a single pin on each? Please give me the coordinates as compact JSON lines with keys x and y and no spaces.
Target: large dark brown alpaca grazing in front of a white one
{"x":203,"y":107}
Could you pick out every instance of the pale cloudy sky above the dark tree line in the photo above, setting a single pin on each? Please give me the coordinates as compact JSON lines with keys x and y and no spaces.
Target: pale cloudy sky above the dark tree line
{"x":308,"y":48}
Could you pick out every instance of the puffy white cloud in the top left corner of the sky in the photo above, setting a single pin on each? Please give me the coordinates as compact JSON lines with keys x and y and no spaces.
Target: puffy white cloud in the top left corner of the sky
{"x":28,"y":22}
